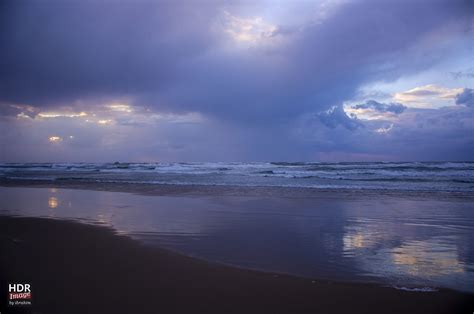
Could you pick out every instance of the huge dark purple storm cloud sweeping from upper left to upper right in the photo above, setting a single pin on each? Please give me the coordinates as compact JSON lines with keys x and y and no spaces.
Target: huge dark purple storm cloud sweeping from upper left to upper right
{"x":165,"y":54}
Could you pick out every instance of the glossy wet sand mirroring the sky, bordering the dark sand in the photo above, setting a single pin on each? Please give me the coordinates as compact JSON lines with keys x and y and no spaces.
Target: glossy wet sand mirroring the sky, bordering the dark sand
{"x":389,"y":240}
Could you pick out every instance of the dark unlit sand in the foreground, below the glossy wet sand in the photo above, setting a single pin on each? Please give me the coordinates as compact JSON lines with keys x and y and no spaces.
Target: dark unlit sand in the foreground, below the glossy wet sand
{"x":78,"y":268}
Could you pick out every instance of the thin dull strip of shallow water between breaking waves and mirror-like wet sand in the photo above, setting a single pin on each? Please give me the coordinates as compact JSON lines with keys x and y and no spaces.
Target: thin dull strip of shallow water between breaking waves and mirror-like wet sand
{"x":233,"y":190}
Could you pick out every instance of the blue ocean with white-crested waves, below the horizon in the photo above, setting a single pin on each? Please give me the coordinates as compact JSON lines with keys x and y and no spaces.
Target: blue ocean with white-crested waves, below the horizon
{"x":402,"y":176}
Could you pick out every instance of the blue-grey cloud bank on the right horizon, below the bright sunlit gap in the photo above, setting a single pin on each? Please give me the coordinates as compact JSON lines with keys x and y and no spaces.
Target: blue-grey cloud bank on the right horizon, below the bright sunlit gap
{"x":407,"y":138}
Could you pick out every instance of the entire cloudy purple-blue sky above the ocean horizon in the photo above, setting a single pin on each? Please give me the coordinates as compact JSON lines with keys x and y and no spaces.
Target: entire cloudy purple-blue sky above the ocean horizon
{"x":150,"y":81}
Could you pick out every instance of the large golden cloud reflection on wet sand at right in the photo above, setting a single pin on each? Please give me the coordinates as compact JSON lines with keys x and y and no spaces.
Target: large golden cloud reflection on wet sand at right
{"x":385,"y":255}
